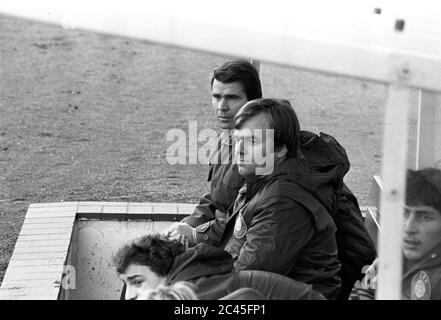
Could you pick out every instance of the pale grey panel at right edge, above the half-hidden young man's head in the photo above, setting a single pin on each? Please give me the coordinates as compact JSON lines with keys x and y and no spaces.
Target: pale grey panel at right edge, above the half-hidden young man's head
{"x":429,"y":130}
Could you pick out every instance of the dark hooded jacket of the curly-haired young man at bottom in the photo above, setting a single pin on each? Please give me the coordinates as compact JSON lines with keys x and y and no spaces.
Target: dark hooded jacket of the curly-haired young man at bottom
{"x":210,"y":269}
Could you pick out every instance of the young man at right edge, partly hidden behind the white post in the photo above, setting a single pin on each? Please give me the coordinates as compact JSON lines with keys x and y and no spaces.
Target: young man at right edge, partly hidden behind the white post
{"x":421,"y":241}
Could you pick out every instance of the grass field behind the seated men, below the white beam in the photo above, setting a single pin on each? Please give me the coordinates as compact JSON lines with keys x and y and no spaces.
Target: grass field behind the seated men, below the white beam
{"x":84,"y":116}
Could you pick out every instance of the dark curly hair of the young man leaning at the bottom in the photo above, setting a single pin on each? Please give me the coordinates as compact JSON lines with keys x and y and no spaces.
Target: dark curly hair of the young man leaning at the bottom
{"x":154,"y":250}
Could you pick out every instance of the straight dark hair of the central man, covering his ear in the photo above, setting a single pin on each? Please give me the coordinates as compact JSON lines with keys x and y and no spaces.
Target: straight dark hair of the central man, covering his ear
{"x":281,"y":117}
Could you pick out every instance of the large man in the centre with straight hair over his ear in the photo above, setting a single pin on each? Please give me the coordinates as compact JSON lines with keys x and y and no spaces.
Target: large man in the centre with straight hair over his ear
{"x":277,"y":224}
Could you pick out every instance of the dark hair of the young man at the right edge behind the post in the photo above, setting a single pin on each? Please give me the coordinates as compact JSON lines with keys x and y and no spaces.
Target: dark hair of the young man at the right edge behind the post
{"x":423,"y":187}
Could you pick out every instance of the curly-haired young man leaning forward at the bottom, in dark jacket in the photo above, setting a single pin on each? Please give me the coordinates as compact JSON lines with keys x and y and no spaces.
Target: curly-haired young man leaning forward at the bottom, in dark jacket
{"x":153,"y":261}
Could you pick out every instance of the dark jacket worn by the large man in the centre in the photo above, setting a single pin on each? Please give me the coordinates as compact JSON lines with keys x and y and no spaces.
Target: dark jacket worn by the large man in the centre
{"x":278,"y":225}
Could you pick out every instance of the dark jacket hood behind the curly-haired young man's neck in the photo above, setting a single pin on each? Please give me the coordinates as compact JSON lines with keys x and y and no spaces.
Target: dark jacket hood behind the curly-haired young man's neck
{"x":198,"y":261}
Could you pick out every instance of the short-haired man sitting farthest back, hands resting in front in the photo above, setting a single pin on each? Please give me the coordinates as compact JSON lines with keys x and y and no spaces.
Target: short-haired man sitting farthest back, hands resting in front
{"x":233,"y":84}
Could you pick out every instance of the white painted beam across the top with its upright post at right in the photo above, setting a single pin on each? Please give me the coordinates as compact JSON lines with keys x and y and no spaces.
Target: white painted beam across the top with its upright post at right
{"x":337,"y":37}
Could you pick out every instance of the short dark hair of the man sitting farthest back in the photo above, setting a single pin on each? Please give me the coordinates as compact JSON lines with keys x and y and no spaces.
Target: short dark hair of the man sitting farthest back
{"x":242,"y":71}
